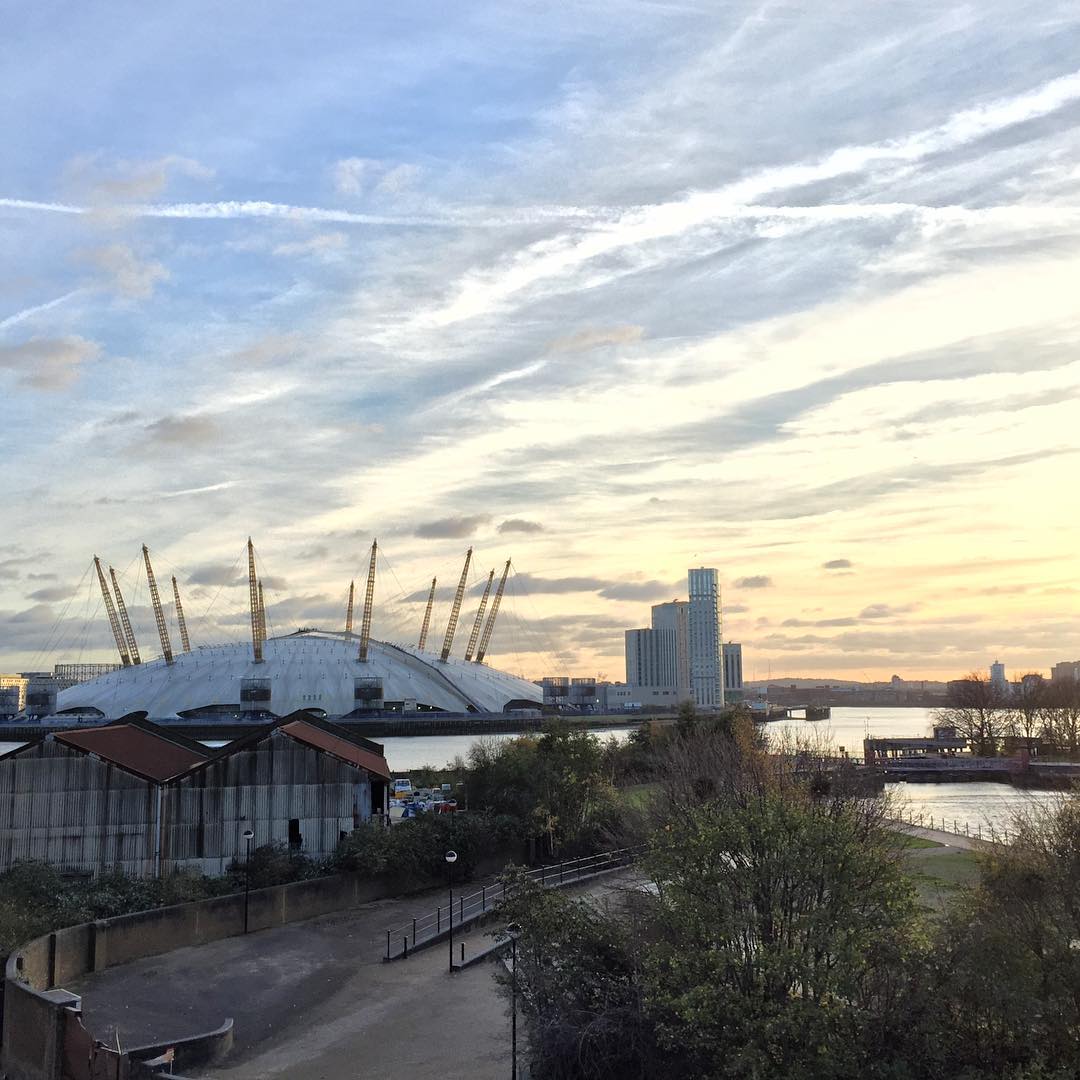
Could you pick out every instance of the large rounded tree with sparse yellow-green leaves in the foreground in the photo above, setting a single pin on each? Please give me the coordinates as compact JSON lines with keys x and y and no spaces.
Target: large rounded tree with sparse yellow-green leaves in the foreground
{"x":784,"y":927}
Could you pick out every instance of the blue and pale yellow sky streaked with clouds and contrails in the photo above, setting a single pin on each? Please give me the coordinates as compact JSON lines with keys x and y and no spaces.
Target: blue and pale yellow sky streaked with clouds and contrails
{"x":612,"y":290}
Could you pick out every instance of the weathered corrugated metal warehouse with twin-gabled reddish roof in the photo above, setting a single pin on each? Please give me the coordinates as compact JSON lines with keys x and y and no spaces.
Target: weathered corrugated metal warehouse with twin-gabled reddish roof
{"x":140,"y":799}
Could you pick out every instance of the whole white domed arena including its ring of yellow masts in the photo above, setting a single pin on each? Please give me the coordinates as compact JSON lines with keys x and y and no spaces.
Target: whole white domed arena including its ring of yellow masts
{"x":341,"y":674}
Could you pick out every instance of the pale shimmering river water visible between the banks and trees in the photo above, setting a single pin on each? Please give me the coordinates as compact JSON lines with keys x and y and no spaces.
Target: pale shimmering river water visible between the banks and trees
{"x":976,"y":806}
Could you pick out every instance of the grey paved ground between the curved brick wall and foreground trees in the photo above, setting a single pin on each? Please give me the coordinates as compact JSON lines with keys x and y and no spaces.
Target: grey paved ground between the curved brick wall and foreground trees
{"x":315,"y":1001}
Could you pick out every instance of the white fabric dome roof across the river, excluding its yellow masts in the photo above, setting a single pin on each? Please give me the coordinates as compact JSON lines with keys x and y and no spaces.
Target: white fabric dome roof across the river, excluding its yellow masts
{"x":312,"y":670}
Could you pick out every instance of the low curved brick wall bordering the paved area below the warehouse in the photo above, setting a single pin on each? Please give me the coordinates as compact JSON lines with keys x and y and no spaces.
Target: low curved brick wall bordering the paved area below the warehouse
{"x":34,"y":1015}
